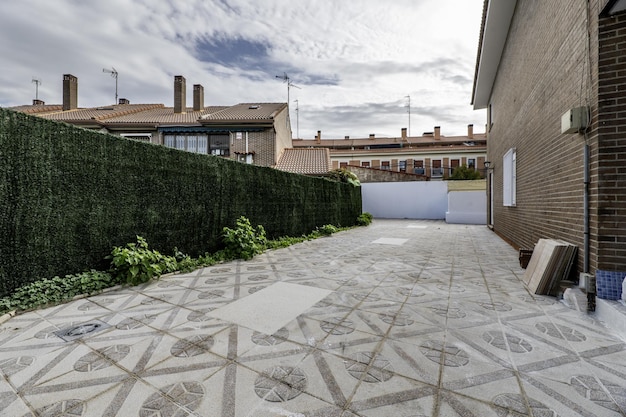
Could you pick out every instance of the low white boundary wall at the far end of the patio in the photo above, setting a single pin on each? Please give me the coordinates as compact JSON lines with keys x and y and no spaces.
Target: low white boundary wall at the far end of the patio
{"x":429,"y":200}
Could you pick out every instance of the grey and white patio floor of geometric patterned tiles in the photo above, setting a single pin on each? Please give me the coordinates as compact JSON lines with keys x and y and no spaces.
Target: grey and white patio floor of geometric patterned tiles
{"x":421,"y":318}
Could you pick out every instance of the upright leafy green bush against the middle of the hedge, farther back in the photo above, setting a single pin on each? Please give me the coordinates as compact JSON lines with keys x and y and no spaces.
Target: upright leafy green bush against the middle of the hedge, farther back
{"x":244,"y":241}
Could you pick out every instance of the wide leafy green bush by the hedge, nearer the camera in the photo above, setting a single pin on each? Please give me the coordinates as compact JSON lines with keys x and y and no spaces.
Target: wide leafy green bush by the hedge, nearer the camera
{"x":135,"y":263}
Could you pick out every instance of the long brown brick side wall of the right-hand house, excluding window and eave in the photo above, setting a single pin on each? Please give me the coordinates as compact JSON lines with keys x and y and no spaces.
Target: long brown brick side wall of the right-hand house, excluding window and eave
{"x":546,"y":69}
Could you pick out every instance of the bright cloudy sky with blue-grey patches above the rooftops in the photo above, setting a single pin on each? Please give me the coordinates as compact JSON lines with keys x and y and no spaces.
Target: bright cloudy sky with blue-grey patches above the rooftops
{"x":354,"y":64}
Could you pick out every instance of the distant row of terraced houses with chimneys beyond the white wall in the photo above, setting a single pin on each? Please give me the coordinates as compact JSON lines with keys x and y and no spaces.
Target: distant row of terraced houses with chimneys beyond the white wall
{"x":432,"y":155}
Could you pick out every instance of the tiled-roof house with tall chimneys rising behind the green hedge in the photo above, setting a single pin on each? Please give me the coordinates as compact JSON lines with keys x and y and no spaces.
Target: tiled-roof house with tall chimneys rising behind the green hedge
{"x":255,"y":133}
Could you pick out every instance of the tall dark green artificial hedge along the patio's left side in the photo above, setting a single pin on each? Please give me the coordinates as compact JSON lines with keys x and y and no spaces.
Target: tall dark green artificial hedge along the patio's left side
{"x":69,"y":195}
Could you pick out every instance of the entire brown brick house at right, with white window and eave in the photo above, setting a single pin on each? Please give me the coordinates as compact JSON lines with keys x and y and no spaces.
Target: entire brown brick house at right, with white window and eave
{"x":552,"y":77}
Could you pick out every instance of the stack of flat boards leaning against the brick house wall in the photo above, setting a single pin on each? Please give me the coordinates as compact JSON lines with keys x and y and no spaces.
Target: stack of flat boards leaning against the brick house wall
{"x":550,"y":263}
